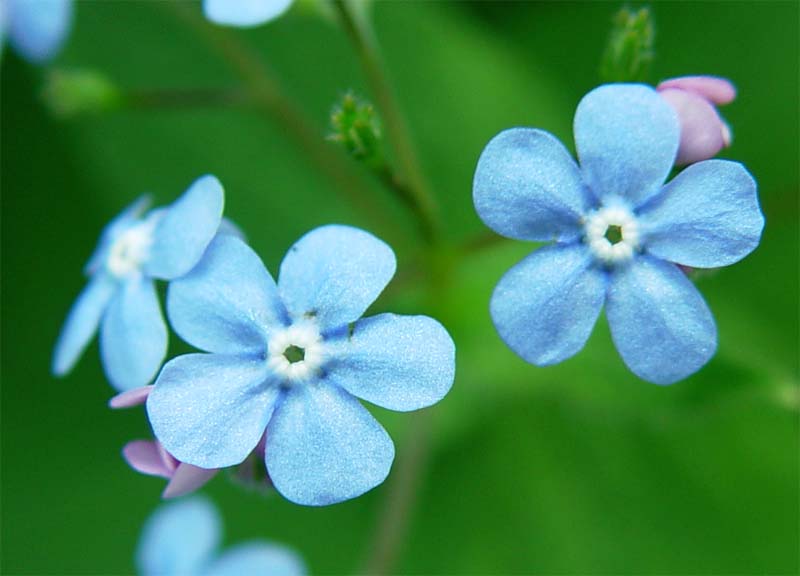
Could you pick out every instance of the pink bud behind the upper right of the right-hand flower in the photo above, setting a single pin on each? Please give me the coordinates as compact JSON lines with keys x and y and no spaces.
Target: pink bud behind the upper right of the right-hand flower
{"x":703,"y":131}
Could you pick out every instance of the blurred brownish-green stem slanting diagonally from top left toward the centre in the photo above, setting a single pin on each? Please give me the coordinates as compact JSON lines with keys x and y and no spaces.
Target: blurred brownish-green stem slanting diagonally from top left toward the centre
{"x":266,"y":94}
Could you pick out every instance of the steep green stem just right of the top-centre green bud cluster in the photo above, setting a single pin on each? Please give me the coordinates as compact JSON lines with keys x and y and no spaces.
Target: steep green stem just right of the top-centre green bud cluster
{"x":415,"y":191}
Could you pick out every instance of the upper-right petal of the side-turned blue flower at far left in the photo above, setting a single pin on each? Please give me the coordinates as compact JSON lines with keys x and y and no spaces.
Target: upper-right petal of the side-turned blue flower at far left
{"x":186,"y":228}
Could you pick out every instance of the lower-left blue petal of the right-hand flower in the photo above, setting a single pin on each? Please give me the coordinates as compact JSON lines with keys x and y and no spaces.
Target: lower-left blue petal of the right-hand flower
{"x":545,"y":307}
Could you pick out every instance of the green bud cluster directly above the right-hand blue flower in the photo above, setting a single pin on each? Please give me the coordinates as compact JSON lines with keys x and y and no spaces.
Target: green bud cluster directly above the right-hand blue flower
{"x":629,"y":51}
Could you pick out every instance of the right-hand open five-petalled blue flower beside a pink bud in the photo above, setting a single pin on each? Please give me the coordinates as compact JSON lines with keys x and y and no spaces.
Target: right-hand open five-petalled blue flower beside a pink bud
{"x":619,"y":234}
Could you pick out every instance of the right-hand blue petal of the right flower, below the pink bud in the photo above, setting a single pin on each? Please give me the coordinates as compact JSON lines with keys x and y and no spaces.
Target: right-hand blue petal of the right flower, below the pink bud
{"x":708,"y":216}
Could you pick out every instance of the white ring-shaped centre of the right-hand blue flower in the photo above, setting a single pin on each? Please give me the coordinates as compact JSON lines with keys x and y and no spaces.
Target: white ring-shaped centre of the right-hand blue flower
{"x":612,"y":234}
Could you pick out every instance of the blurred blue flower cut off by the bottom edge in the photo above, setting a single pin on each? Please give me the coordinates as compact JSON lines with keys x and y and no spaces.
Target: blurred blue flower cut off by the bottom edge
{"x":182,"y":539}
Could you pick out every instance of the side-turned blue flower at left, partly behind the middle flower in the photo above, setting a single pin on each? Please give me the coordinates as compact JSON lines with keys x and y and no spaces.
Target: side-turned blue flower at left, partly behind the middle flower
{"x":135,"y":249}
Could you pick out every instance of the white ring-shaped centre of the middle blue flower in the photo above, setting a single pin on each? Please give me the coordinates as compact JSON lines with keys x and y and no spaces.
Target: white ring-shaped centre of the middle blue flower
{"x":296,"y":353}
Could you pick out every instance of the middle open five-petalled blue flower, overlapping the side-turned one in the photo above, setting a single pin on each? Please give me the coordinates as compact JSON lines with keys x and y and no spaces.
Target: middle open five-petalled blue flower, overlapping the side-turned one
{"x":291,"y":359}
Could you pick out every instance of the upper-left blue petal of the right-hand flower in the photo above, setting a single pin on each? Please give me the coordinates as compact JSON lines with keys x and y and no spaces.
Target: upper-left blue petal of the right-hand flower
{"x":527,"y":186}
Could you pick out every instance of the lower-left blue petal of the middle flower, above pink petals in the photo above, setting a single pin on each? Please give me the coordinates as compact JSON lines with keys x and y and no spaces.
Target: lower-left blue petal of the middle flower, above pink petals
{"x":211,"y":410}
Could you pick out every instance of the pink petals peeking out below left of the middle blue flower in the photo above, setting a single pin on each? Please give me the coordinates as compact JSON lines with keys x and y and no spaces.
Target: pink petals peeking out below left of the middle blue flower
{"x":149,"y":456}
